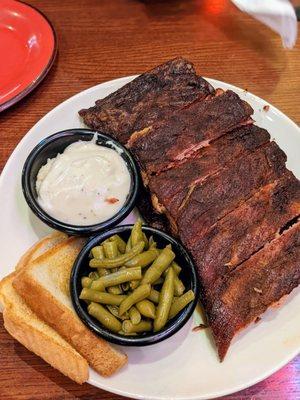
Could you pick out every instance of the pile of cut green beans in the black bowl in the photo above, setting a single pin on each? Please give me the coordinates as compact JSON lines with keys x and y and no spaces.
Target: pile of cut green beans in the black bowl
{"x":134,"y":286}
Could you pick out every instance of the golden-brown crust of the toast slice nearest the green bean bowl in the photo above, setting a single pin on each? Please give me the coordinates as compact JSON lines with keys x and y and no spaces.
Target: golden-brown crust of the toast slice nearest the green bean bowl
{"x":99,"y":354}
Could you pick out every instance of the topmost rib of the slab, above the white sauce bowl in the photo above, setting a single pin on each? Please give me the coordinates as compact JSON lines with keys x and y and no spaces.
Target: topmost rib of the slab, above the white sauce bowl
{"x":147,"y":99}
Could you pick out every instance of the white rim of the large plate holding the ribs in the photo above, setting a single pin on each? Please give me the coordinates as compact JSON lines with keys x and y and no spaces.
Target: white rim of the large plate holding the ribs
{"x":104,"y":385}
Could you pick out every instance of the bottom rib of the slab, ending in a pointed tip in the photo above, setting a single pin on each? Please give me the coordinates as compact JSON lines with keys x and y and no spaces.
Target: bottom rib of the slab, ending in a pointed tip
{"x":255,"y":285}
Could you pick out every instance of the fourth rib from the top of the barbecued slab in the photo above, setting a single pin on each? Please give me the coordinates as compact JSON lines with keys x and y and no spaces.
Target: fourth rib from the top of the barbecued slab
{"x":221,"y":193}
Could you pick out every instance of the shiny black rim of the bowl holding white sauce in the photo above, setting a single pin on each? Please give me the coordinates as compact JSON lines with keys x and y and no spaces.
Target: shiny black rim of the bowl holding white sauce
{"x":85,"y":230}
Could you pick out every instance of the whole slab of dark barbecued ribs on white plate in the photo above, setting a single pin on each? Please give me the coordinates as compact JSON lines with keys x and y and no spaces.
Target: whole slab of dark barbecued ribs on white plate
{"x":215,"y":180}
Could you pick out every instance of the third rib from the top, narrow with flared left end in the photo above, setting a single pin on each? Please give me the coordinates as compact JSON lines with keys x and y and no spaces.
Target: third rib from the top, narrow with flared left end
{"x":172,"y":186}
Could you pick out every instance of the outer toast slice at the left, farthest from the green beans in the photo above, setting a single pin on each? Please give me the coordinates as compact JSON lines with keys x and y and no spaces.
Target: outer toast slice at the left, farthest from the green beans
{"x":37,"y":336}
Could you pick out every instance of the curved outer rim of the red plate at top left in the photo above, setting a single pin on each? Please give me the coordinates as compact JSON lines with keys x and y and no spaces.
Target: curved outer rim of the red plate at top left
{"x":34,"y":83}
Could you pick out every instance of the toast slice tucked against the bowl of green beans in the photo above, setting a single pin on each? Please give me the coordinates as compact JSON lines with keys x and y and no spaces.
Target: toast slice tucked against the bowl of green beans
{"x":44,"y":285}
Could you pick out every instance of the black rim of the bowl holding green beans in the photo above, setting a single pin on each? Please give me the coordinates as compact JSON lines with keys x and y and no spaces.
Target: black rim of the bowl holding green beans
{"x":178,"y":322}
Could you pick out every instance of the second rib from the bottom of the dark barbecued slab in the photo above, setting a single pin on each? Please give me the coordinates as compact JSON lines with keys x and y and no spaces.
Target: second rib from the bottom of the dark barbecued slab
{"x":246,"y":229}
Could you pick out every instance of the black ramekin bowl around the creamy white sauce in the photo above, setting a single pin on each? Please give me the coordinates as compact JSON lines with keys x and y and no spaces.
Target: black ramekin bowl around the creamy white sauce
{"x":49,"y":148}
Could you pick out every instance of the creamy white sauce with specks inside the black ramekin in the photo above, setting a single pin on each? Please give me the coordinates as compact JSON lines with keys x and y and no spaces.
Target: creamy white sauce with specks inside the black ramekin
{"x":84,"y":185}
